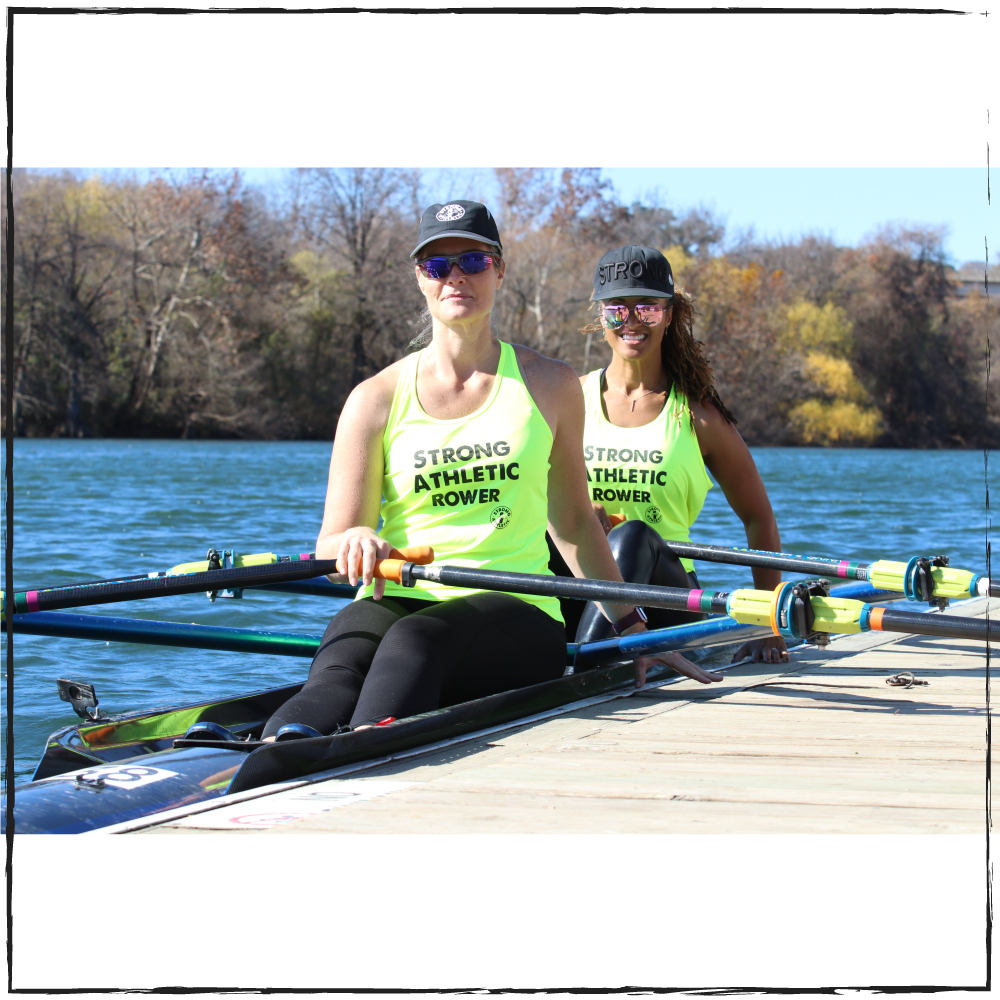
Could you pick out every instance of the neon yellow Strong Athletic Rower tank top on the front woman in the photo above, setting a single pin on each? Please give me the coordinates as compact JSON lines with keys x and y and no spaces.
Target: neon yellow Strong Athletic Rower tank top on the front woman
{"x":475,"y":488}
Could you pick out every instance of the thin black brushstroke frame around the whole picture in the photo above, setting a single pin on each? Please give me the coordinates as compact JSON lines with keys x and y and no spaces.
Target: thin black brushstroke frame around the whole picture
{"x":8,"y":342}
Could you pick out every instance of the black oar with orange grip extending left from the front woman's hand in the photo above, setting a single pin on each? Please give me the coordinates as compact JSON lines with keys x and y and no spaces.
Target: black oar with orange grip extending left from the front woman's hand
{"x":191,"y":583}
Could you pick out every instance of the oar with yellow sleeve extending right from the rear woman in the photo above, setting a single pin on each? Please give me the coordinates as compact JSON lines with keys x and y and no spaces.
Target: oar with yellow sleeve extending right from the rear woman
{"x":923,"y":578}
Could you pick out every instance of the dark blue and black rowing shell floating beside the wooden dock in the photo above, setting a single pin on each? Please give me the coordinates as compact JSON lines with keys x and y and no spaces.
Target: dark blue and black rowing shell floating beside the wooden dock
{"x":138,"y":765}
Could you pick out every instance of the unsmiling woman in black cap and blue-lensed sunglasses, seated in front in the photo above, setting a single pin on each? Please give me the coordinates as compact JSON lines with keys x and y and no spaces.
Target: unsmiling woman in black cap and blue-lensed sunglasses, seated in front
{"x":469,"y":445}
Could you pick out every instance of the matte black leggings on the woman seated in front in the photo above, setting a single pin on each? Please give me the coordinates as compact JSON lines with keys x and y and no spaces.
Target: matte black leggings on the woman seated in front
{"x":402,"y":655}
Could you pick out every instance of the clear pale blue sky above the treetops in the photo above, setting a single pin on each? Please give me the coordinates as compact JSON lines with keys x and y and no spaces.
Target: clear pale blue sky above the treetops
{"x":846,"y":204}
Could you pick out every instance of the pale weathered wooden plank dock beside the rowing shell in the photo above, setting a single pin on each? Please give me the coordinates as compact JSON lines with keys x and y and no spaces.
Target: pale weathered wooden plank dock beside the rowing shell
{"x":821,"y":744}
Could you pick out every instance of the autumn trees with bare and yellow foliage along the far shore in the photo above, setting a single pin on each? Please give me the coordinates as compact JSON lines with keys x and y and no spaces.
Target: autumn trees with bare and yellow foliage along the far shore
{"x":202,"y":306}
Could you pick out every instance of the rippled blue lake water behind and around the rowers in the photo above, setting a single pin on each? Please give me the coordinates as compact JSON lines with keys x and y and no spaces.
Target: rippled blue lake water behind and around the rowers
{"x":103,"y":508}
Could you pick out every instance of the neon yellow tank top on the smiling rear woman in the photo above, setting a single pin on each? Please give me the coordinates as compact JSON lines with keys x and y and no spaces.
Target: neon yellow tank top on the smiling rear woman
{"x":654,"y":473}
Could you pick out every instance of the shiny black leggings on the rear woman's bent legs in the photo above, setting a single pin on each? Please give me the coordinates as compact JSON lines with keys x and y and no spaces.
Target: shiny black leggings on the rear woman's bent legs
{"x":642,"y":557}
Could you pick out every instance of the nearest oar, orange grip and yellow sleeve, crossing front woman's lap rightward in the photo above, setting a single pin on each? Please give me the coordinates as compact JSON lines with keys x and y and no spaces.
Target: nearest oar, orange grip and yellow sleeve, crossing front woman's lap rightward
{"x":796,"y":611}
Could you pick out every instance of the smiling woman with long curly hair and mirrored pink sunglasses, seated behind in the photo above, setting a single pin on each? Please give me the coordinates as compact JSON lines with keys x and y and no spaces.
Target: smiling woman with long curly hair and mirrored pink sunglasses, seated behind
{"x":654,"y":423}
